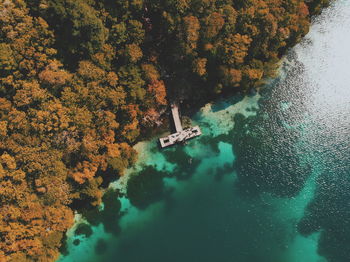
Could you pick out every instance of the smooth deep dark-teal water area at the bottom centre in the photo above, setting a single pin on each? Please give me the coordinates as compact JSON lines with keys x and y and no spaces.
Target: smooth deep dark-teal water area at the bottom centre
{"x":200,"y":228}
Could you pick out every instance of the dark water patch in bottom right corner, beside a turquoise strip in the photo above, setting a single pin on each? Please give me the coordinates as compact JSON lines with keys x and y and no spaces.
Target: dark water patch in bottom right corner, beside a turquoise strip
{"x":329,"y":212}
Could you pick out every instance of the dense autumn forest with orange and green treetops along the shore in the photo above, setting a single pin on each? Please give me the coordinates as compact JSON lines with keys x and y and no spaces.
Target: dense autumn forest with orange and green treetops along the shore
{"x":80,"y":79}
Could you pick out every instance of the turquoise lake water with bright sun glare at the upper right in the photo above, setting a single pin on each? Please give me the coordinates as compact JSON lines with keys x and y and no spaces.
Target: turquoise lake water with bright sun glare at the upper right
{"x":268,"y":180}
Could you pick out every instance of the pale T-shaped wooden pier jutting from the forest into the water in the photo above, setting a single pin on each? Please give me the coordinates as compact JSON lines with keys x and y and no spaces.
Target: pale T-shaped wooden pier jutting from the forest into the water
{"x":181,"y":134}
